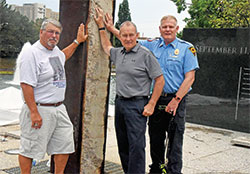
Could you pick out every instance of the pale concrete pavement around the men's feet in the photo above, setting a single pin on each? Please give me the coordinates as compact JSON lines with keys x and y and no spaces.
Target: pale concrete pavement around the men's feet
{"x":207,"y":150}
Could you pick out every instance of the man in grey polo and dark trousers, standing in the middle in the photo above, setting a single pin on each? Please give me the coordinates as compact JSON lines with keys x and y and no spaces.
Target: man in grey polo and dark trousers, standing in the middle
{"x":136,"y":67}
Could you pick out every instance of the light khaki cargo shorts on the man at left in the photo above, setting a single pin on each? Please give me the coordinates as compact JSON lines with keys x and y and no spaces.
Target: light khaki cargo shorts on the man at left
{"x":54,"y":137}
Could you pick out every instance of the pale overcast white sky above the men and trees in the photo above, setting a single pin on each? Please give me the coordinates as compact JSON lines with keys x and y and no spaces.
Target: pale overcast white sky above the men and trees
{"x":146,"y":14}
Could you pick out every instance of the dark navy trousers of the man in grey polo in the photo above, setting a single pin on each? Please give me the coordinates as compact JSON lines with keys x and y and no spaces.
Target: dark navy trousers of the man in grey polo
{"x":130,"y":126}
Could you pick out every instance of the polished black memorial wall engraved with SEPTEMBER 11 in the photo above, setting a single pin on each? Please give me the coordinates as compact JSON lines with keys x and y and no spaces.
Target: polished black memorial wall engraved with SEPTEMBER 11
{"x":219,"y":97}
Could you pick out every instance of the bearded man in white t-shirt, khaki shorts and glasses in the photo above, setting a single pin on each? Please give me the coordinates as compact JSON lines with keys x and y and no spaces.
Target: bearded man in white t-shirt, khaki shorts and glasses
{"x":45,"y":124}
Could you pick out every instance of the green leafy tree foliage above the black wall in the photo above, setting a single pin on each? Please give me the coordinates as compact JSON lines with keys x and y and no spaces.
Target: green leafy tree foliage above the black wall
{"x":216,"y":13}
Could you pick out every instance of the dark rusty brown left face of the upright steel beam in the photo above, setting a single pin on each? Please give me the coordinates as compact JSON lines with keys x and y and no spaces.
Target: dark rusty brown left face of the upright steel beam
{"x":72,"y":14}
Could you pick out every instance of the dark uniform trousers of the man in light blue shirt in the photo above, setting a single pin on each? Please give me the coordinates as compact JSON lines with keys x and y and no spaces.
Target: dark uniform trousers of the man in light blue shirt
{"x":159,"y":126}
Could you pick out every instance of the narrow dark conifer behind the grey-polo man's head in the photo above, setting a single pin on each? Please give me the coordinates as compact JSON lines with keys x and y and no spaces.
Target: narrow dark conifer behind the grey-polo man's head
{"x":123,"y":15}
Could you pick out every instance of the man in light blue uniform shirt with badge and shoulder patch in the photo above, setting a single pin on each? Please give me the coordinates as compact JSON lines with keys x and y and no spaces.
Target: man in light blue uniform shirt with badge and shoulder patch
{"x":178,"y":61}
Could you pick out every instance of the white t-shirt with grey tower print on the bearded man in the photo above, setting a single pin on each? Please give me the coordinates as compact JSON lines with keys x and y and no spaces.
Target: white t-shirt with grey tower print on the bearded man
{"x":44,"y":70}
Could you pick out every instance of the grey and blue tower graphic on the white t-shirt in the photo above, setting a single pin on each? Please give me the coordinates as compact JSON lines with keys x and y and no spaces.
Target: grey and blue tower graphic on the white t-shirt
{"x":59,"y":75}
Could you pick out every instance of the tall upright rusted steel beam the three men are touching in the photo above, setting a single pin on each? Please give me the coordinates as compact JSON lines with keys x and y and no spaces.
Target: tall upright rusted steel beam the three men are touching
{"x":87,"y":75}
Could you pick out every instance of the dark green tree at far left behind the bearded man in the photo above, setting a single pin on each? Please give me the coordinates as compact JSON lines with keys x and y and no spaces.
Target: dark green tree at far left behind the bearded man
{"x":15,"y":30}
